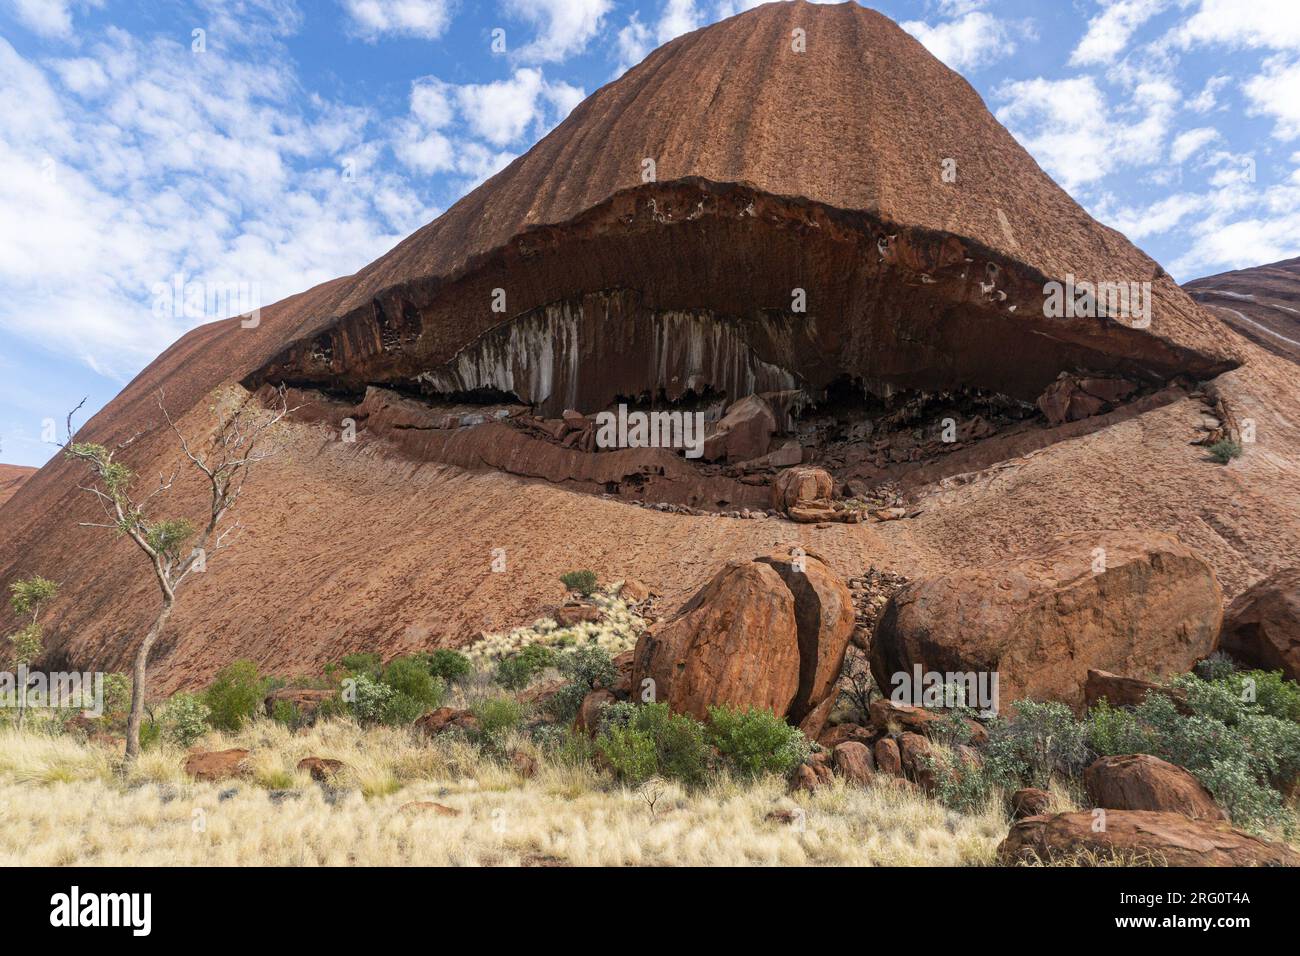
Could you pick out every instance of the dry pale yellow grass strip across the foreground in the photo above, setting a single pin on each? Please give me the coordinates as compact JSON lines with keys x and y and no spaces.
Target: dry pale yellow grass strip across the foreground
{"x":63,"y":804}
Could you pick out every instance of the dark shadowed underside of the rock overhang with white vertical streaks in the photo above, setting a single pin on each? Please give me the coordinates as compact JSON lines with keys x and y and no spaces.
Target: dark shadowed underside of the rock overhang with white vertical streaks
{"x":695,"y":288}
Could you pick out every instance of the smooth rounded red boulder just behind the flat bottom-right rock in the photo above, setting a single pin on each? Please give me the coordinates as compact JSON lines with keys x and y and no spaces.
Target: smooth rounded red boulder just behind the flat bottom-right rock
{"x":1142,"y":782}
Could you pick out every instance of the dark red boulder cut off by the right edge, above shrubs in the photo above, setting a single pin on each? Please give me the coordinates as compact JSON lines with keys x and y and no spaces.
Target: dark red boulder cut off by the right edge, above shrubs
{"x":1262,"y":628}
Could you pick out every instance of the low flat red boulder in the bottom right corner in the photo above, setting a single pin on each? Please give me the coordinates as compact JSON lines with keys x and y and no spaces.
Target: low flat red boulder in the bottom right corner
{"x":1142,"y":838}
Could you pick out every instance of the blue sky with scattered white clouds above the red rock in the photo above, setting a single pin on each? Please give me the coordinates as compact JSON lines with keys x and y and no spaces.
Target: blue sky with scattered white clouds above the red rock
{"x":291,"y":142}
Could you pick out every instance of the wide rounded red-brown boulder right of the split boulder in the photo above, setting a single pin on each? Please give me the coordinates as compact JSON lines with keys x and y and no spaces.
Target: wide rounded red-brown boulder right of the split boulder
{"x":1124,"y":603}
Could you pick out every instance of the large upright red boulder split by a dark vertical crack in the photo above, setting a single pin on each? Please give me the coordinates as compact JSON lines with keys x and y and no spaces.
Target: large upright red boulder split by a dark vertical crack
{"x":765,"y":634}
